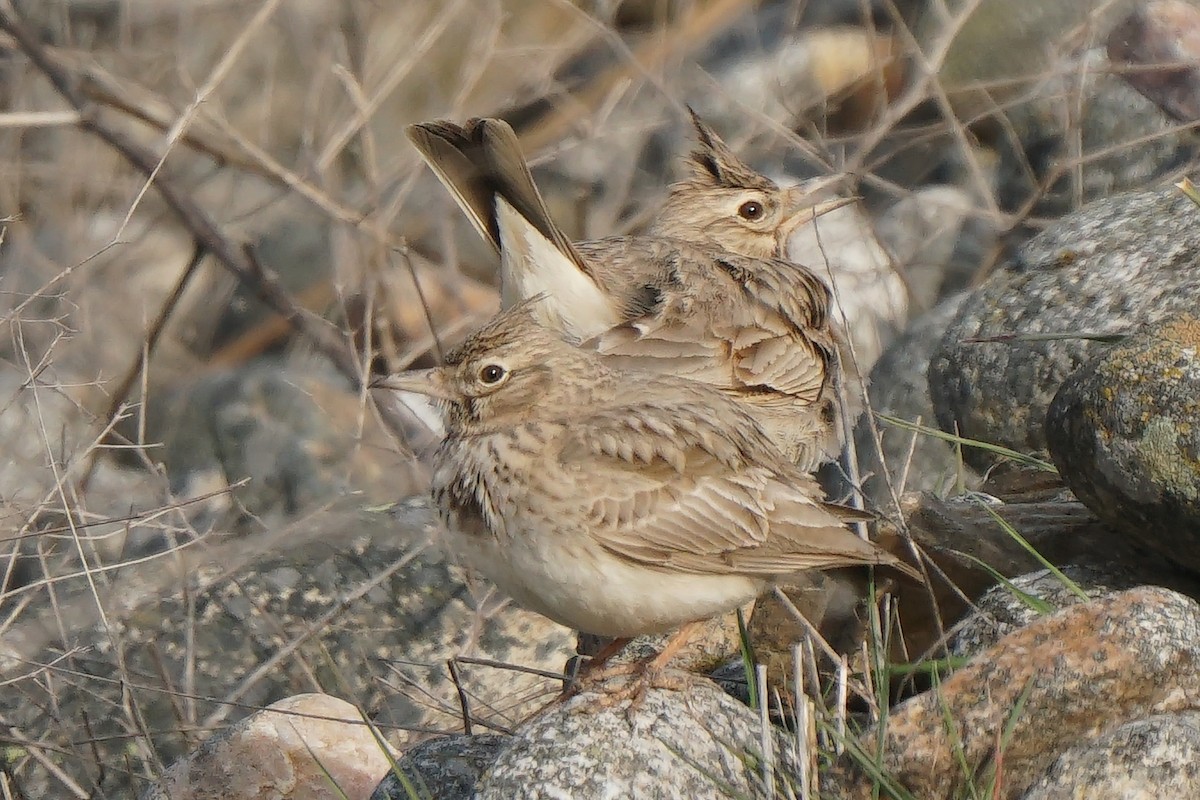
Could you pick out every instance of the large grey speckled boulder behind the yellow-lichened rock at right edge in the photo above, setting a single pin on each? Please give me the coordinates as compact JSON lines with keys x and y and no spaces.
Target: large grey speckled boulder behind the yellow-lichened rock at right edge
{"x":1118,"y":263}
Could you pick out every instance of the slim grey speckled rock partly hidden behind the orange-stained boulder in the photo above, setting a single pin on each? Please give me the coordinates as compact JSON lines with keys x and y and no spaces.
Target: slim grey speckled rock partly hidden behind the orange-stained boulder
{"x":1000,"y":612}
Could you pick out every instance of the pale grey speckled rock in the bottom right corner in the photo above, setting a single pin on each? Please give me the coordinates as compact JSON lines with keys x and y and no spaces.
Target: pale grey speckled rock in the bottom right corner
{"x":1148,"y":760}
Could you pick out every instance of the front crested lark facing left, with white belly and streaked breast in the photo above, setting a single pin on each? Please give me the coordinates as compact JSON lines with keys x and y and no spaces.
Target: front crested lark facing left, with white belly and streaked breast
{"x":613,"y":502}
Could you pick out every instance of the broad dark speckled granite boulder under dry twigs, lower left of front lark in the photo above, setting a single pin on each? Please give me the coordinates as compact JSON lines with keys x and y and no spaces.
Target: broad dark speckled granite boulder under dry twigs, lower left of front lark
{"x":349,"y":600}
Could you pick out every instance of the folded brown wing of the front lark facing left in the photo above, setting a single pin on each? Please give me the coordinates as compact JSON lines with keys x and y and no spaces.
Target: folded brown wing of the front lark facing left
{"x":662,"y":494}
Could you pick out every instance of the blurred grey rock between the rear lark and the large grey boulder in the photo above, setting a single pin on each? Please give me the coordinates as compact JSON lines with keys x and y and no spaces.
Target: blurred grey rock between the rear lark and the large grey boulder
{"x":898,"y":387}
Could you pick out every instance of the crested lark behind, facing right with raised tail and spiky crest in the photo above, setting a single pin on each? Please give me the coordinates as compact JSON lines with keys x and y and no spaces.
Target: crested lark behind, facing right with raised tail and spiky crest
{"x":703,"y":297}
